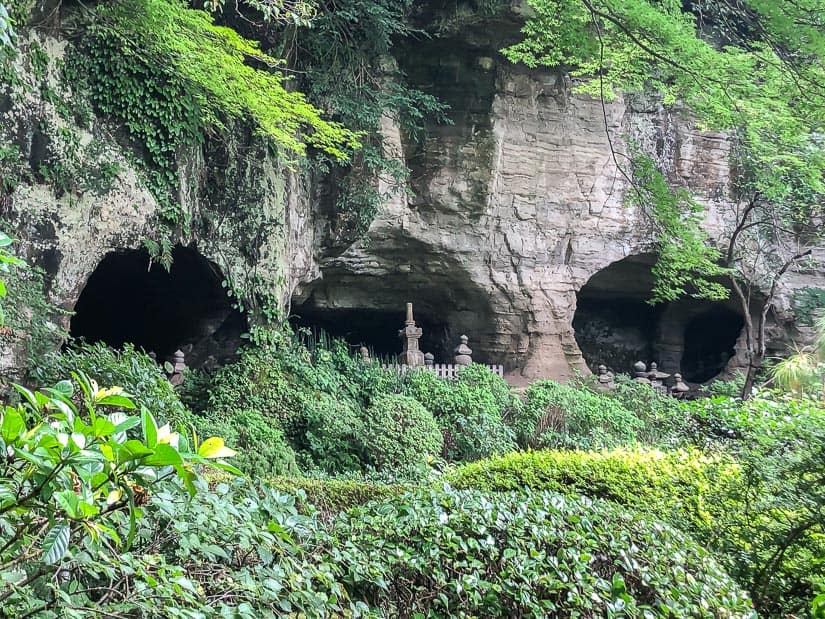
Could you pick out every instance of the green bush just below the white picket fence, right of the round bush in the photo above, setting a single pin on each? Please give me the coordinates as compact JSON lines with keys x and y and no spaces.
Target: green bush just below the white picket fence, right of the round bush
{"x":471,"y":410}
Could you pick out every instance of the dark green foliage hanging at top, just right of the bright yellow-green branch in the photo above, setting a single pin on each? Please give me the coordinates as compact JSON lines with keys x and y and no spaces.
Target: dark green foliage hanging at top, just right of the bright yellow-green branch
{"x":345,"y":53}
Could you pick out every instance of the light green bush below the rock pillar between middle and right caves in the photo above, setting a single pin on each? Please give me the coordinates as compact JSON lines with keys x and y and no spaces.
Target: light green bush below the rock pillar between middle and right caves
{"x":556,"y":415}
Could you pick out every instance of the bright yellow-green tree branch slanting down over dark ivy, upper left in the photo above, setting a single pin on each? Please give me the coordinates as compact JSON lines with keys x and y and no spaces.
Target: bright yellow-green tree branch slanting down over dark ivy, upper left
{"x":230,"y":76}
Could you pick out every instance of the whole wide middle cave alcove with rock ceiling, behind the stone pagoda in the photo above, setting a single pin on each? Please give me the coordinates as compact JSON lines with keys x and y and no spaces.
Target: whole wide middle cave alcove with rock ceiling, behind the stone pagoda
{"x":367,"y":306}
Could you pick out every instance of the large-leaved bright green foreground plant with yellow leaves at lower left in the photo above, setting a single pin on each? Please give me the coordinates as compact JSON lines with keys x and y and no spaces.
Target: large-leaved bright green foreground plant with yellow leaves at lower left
{"x":76,"y":470}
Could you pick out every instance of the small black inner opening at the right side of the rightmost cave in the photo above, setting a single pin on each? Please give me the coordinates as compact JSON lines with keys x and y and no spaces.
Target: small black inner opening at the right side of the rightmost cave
{"x":710,"y":340}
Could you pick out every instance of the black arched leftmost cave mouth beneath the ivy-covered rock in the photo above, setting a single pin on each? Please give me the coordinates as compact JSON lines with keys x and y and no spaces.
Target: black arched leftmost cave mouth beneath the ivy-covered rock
{"x":130,"y":298}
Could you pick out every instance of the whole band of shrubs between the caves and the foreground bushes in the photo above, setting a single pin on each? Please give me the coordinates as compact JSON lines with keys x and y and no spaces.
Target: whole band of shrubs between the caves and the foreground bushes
{"x":743,"y":479}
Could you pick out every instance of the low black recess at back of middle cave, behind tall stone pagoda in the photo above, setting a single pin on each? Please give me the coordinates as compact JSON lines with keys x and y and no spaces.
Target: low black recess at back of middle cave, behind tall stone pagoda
{"x":377,"y":329}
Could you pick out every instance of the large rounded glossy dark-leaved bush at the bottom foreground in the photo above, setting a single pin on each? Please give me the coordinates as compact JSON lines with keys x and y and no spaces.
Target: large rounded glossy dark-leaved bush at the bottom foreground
{"x":464,"y":553}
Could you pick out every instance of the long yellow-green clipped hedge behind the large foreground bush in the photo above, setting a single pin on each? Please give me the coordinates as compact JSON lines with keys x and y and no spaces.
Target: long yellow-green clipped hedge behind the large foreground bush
{"x":682,"y":488}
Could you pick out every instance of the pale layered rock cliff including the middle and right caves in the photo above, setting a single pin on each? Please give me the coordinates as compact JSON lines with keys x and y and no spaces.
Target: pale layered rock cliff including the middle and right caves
{"x":516,"y":206}
